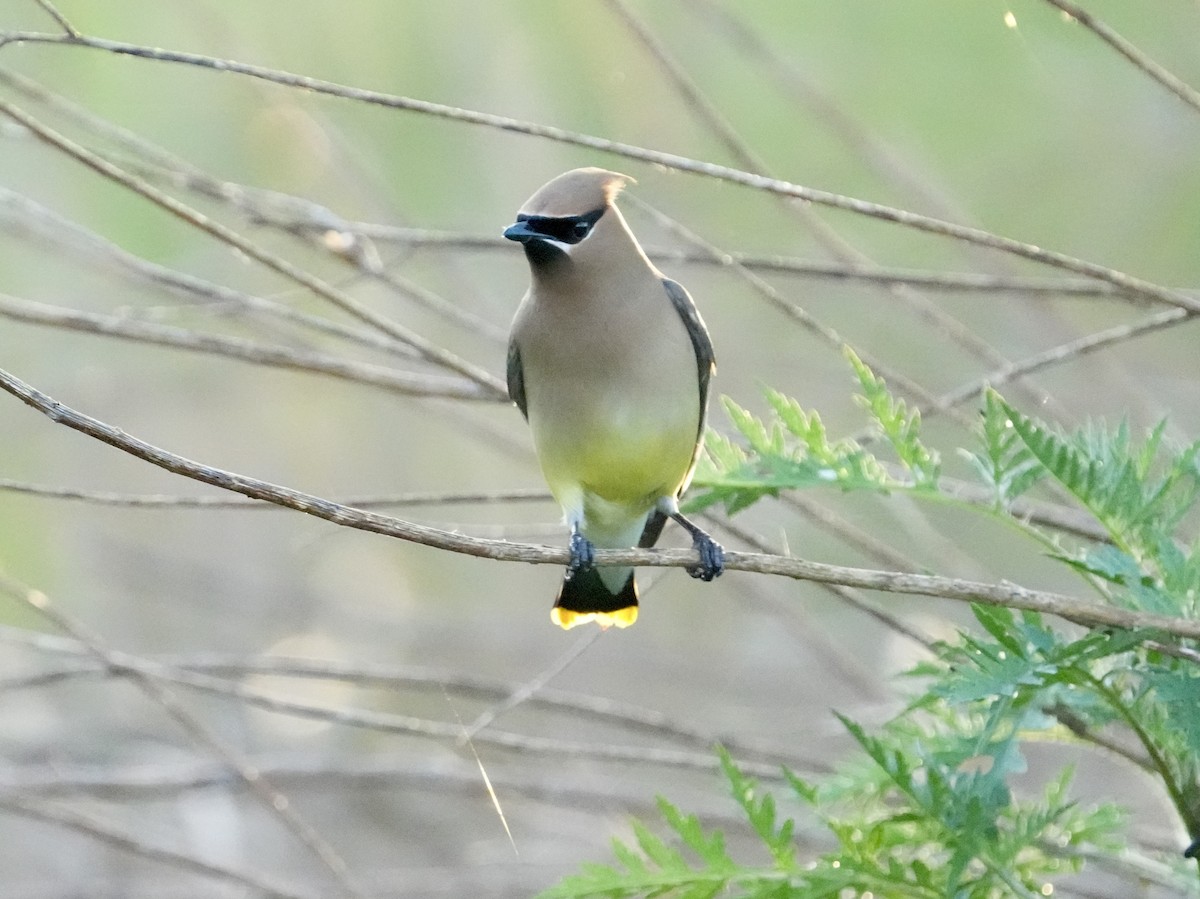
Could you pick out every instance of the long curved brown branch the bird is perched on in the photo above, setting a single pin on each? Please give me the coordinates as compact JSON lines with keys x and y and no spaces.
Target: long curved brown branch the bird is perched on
{"x":1000,"y":595}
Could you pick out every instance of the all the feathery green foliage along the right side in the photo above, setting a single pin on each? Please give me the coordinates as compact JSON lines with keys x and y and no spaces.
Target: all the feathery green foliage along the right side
{"x":938,"y":801}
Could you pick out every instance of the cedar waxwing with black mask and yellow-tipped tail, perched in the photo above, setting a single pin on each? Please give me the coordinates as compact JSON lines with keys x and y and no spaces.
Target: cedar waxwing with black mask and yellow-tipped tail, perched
{"x":610,"y":363}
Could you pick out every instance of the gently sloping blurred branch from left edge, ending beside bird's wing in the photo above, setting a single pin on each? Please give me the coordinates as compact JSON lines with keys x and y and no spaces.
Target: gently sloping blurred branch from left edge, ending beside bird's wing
{"x":247,"y":351}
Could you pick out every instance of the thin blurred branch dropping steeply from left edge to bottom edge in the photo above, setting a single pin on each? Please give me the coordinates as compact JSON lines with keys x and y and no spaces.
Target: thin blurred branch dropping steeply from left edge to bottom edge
{"x":272,"y":799}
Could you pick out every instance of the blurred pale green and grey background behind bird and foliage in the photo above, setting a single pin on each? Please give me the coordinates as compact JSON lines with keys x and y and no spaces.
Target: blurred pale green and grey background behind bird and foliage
{"x":1001,"y":116}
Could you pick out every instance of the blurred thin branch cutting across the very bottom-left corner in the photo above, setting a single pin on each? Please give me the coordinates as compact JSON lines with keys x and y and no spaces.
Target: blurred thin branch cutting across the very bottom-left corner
{"x":104,"y":831}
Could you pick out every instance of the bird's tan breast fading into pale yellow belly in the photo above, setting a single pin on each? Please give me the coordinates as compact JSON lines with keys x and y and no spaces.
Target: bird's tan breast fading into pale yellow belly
{"x":613,"y":392}
